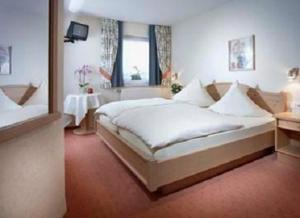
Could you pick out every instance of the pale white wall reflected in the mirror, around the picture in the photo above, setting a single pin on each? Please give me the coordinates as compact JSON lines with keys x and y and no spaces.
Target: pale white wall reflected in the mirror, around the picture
{"x":27,"y":33}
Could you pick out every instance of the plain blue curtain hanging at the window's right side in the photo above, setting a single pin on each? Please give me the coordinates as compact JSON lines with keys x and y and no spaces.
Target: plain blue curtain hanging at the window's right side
{"x":155,"y":74}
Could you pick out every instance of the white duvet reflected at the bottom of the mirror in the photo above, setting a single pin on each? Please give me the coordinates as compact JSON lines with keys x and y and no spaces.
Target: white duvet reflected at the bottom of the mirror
{"x":21,"y":114}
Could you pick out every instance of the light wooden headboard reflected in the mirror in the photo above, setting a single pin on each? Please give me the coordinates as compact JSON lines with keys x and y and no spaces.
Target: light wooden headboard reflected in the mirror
{"x":19,"y":93}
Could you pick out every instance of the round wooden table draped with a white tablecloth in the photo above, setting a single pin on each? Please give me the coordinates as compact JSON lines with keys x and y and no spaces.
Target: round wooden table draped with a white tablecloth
{"x":82,"y":107}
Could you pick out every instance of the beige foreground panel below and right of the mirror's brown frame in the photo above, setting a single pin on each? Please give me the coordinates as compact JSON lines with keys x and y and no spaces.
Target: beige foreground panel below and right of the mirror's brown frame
{"x":32,"y":176}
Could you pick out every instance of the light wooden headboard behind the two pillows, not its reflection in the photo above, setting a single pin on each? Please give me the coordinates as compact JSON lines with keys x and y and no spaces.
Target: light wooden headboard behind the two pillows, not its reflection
{"x":272,"y":102}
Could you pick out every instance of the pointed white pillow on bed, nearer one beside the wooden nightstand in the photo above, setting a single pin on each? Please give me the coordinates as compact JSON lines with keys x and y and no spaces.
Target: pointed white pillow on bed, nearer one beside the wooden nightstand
{"x":236,"y":102}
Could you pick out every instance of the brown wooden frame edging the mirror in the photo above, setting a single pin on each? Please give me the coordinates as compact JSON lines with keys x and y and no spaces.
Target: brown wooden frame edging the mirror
{"x":13,"y":131}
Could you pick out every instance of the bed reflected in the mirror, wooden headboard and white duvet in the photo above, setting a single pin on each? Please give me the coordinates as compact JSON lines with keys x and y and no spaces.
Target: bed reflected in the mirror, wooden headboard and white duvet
{"x":20,"y":94}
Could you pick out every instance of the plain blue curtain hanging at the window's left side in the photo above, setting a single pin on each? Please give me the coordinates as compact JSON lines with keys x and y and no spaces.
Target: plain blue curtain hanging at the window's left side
{"x":117,"y":75}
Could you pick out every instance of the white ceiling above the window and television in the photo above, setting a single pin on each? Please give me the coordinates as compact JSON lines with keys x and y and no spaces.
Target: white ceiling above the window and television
{"x":144,"y":11}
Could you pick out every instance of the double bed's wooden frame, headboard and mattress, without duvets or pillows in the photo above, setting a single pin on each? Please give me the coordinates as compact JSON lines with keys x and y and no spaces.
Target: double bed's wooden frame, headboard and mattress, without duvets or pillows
{"x":189,"y":161}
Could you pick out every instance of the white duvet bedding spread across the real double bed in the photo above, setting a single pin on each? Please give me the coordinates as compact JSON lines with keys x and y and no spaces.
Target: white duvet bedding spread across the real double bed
{"x":166,"y":122}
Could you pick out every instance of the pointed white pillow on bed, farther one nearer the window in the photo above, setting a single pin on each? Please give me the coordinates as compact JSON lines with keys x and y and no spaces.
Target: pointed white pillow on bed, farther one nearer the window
{"x":194,"y":93}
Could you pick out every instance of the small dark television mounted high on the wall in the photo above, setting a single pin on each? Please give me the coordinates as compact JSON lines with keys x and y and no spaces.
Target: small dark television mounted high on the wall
{"x":78,"y":31}
